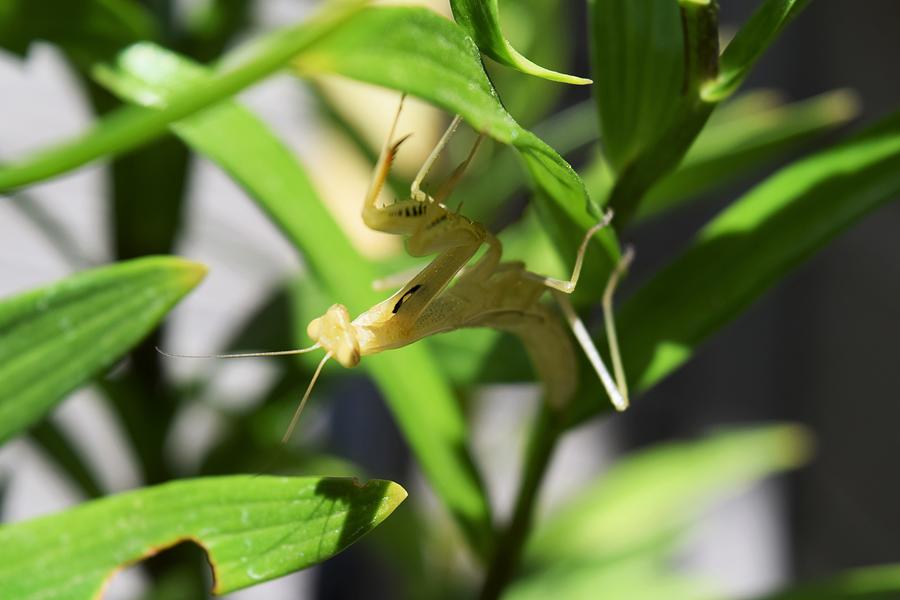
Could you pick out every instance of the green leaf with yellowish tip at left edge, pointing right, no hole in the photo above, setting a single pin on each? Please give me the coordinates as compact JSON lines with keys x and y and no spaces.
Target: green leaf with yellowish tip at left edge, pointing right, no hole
{"x":55,"y":338}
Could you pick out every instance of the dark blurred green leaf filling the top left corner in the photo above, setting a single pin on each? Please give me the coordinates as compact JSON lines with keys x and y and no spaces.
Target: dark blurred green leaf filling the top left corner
{"x":86,"y":30}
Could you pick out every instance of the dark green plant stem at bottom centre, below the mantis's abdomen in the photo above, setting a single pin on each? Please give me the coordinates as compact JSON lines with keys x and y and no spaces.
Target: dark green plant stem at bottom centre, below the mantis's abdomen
{"x":508,"y":550}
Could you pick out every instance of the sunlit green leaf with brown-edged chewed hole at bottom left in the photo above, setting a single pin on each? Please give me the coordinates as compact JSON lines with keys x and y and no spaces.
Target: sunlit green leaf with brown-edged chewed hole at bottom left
{"x":253,"y":529}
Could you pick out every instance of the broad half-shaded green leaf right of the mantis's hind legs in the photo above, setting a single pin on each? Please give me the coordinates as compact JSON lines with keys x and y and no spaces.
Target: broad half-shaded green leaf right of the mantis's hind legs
{"x":752,"y":245}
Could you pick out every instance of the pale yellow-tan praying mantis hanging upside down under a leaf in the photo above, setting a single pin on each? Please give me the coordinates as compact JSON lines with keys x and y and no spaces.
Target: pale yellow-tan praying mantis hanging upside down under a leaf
{"x":450,"y":294}
